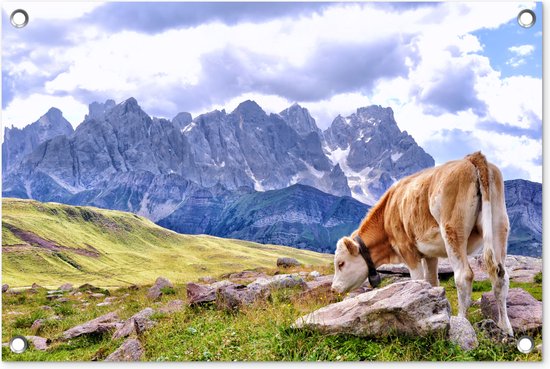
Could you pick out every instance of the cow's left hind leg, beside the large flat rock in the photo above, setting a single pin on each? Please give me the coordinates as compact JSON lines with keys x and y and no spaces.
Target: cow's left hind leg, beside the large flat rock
{"x":455,"y":246}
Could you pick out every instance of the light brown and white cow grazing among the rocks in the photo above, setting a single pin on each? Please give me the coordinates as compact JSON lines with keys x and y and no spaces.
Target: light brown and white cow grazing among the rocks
{"x":451,"y":211}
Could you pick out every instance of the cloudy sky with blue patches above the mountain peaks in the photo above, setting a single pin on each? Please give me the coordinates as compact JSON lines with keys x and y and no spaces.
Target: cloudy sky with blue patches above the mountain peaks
{"x":460,"y":77}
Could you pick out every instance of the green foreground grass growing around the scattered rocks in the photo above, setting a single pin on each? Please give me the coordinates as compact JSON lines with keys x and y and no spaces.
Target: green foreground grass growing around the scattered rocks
{"x":260,"y":332}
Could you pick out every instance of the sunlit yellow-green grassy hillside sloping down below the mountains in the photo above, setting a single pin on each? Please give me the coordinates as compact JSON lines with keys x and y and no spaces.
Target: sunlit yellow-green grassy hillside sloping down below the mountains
{"x":50,"y":243}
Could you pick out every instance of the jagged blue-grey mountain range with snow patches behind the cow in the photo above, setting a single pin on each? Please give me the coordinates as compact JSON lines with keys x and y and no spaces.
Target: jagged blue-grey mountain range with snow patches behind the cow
{"x":268,"y":178}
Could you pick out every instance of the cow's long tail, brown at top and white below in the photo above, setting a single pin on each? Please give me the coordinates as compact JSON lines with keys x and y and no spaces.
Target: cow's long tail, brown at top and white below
{"x":490,"y":256}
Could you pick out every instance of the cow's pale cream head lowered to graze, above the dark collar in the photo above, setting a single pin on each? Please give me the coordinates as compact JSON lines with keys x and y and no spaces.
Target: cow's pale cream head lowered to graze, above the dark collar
{"x":350,"y":269}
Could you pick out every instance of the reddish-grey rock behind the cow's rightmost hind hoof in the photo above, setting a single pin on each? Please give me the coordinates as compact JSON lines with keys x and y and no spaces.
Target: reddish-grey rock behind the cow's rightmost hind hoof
{"x":524,"y":311}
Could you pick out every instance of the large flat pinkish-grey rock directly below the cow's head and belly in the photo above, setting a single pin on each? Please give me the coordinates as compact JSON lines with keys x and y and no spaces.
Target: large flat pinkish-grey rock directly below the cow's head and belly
{"x":411,"y":308}
